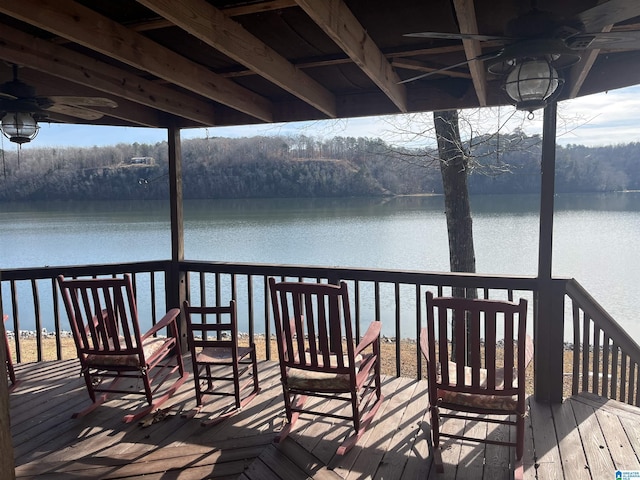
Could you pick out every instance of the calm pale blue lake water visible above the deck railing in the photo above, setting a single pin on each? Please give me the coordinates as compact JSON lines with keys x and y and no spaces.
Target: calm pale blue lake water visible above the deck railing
{"x":595,"y":236}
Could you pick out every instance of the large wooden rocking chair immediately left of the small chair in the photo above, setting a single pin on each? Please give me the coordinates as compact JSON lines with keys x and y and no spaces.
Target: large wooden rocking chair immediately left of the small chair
{"x":104,"y":321}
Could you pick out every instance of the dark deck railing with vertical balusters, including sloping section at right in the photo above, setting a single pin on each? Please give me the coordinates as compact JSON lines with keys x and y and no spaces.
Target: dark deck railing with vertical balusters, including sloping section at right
{"x":608,"y":365}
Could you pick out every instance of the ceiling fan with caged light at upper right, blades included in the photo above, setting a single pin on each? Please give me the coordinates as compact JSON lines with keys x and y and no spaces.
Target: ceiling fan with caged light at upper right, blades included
{"x":538,"y":43}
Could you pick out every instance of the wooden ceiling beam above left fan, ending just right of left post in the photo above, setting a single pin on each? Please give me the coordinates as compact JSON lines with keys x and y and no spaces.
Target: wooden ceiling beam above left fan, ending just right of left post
{"x":24,"y":49}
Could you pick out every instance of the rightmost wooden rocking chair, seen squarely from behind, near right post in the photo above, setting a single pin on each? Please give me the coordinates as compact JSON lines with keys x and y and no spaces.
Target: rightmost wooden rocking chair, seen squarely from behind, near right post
{"x":485,"y":350}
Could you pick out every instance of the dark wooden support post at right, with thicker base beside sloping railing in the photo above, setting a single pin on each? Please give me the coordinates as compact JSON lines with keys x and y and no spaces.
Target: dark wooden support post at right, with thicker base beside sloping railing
{"x":549,"y":321}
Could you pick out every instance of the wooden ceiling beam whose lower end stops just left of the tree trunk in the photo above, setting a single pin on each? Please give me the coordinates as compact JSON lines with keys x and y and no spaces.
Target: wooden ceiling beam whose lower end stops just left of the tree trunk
{"x":337,"y":21}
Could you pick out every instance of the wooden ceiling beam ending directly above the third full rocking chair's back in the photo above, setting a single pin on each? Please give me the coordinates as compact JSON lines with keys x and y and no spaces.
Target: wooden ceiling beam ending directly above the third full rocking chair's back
{"x":211,"y":26}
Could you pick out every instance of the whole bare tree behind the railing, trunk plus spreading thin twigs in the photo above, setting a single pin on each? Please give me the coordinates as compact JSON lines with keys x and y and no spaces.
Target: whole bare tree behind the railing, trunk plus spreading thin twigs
{"x":441,"y":143}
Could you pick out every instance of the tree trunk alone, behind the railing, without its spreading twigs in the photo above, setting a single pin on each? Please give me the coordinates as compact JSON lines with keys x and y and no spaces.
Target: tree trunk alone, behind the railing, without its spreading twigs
{"x":453,"y":167}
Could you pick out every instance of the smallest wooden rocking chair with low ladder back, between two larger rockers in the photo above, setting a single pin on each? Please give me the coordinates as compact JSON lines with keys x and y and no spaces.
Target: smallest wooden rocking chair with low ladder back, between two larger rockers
{"x":216,"y":356}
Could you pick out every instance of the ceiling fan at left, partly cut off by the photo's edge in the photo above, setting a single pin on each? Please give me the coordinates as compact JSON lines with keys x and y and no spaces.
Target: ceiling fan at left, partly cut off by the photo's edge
{"x":21,"y":108}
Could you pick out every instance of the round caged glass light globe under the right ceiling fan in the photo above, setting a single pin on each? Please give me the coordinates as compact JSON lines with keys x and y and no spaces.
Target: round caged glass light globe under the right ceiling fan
{"x":531,"y":83}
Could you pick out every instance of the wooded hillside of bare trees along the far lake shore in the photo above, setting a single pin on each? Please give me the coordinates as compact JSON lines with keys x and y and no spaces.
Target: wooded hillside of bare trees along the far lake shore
{"x":302,"y":167}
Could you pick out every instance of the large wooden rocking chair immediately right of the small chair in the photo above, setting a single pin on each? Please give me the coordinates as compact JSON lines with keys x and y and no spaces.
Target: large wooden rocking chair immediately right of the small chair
{"x":318,"y":357}
